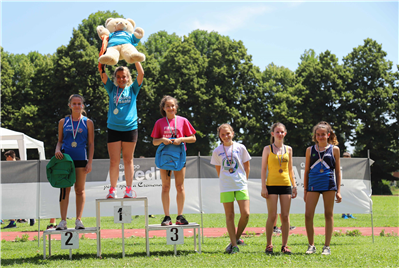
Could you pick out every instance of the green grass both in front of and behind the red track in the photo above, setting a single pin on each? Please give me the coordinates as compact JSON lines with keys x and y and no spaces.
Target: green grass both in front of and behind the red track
{"x":347,"y":251}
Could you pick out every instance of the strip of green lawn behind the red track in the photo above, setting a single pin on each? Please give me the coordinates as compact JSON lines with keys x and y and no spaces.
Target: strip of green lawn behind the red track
{"x":386,"y":214}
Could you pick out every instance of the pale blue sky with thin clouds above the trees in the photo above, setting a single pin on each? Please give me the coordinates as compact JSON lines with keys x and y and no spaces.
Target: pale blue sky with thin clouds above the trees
{"x":272,"y":31}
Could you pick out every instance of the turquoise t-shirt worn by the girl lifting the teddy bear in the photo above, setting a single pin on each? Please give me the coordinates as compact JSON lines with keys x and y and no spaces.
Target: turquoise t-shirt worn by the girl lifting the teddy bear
{"x":126,"y":118}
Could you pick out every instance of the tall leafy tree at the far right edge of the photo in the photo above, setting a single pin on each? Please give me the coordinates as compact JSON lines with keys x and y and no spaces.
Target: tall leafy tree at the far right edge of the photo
{"x":375,"y":104}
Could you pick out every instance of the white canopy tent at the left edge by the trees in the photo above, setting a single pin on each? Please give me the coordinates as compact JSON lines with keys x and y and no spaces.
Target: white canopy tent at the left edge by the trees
{"x":10,"y":139}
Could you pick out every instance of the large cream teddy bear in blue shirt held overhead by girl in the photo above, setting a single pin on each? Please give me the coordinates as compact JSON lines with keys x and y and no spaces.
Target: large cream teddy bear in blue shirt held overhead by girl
{"x":123,"y":39}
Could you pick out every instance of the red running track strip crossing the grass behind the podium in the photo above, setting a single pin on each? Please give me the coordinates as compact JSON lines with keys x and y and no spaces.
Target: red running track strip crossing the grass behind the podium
{"x":208,"y":232}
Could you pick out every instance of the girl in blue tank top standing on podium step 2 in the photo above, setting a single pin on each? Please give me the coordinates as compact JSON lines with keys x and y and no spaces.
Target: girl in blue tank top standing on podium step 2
{"x":75,"y":134}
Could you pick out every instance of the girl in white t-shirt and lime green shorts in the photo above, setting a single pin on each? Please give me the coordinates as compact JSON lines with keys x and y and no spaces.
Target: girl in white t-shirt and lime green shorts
{"x":231,"y":160}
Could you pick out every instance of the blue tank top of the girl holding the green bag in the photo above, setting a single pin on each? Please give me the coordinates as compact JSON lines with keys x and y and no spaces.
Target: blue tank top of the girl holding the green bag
{"x":78,"y":152}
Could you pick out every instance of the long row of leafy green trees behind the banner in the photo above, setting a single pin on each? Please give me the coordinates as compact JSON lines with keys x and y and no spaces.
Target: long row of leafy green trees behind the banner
{"x":215,"y":81}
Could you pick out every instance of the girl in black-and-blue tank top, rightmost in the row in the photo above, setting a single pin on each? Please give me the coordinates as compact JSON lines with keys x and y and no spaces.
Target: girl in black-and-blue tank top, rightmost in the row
{"x":322,"y":165}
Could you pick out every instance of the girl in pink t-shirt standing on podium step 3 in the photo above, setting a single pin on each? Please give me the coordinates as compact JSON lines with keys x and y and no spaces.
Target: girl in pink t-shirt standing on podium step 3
{"x":172,"y":129}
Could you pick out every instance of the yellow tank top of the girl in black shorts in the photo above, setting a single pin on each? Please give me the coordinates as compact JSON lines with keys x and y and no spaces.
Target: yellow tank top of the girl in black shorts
{"x":275,"y":178}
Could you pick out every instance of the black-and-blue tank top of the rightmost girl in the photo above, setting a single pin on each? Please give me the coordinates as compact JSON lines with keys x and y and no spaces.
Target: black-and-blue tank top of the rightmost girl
{"x":321,"y":175}
